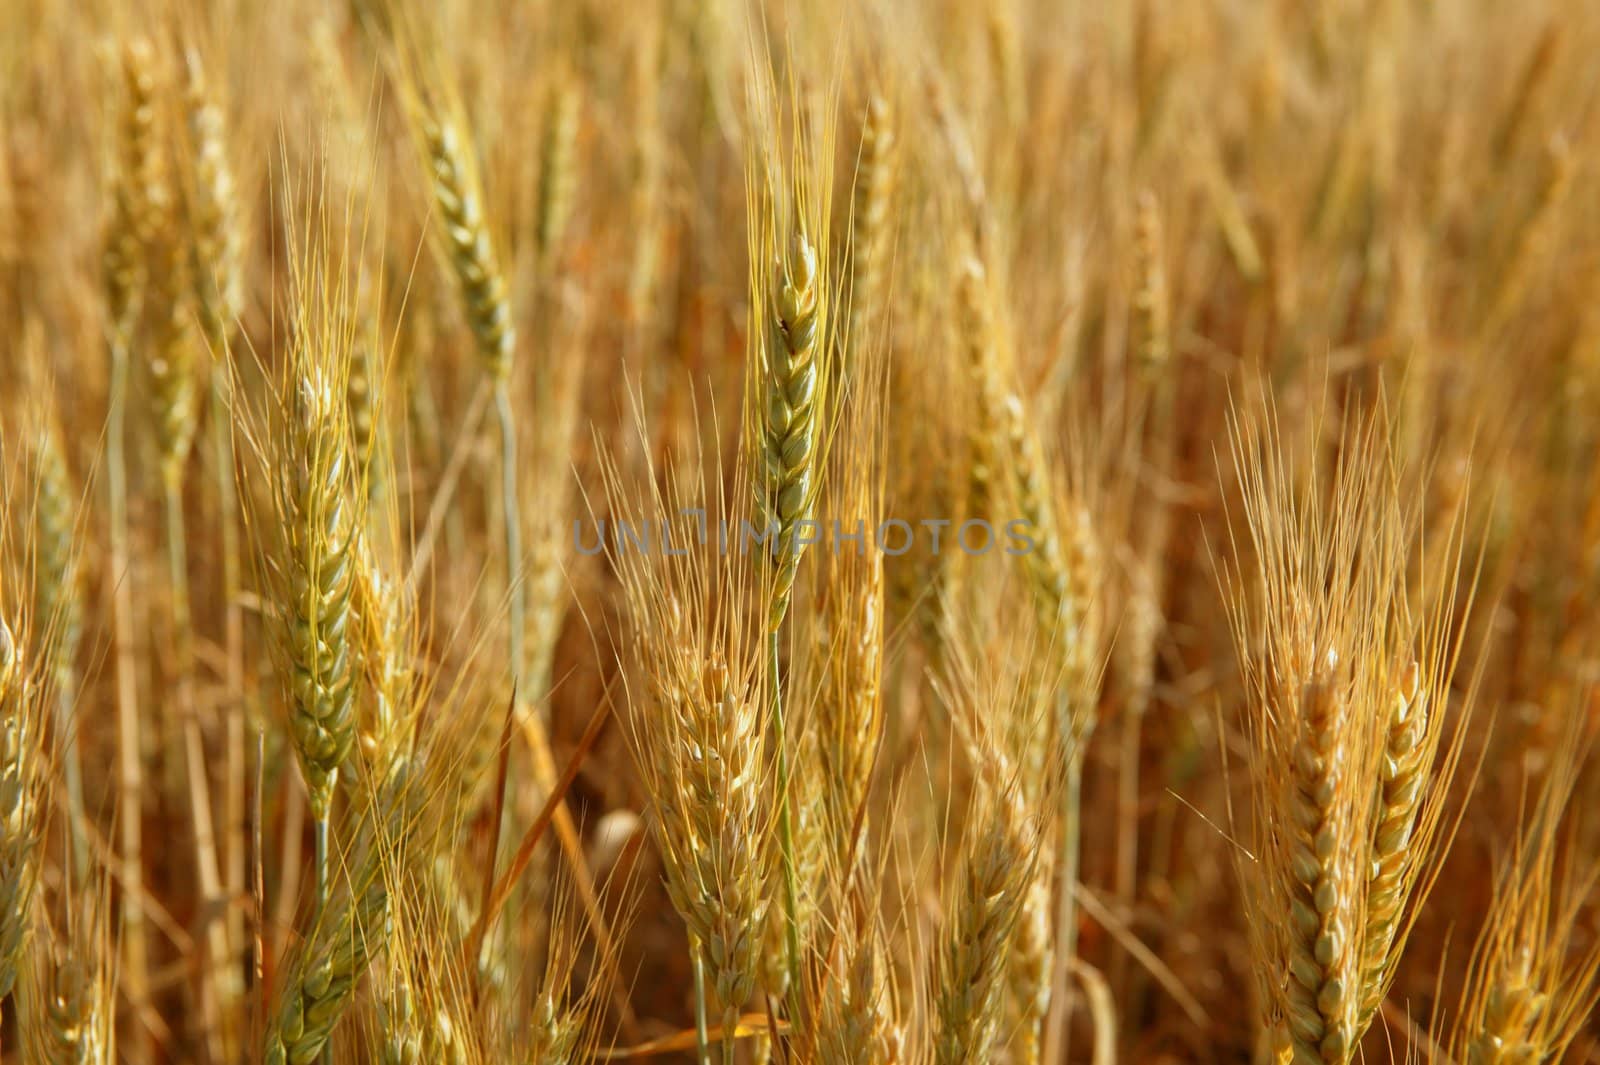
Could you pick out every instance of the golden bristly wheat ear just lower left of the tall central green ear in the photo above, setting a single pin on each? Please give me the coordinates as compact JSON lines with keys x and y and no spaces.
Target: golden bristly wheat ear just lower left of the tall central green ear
{"x":697,"y":738}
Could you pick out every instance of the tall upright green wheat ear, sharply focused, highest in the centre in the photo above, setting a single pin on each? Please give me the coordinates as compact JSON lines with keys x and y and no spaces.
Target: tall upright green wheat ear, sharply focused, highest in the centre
{"x":790,"y":433}
